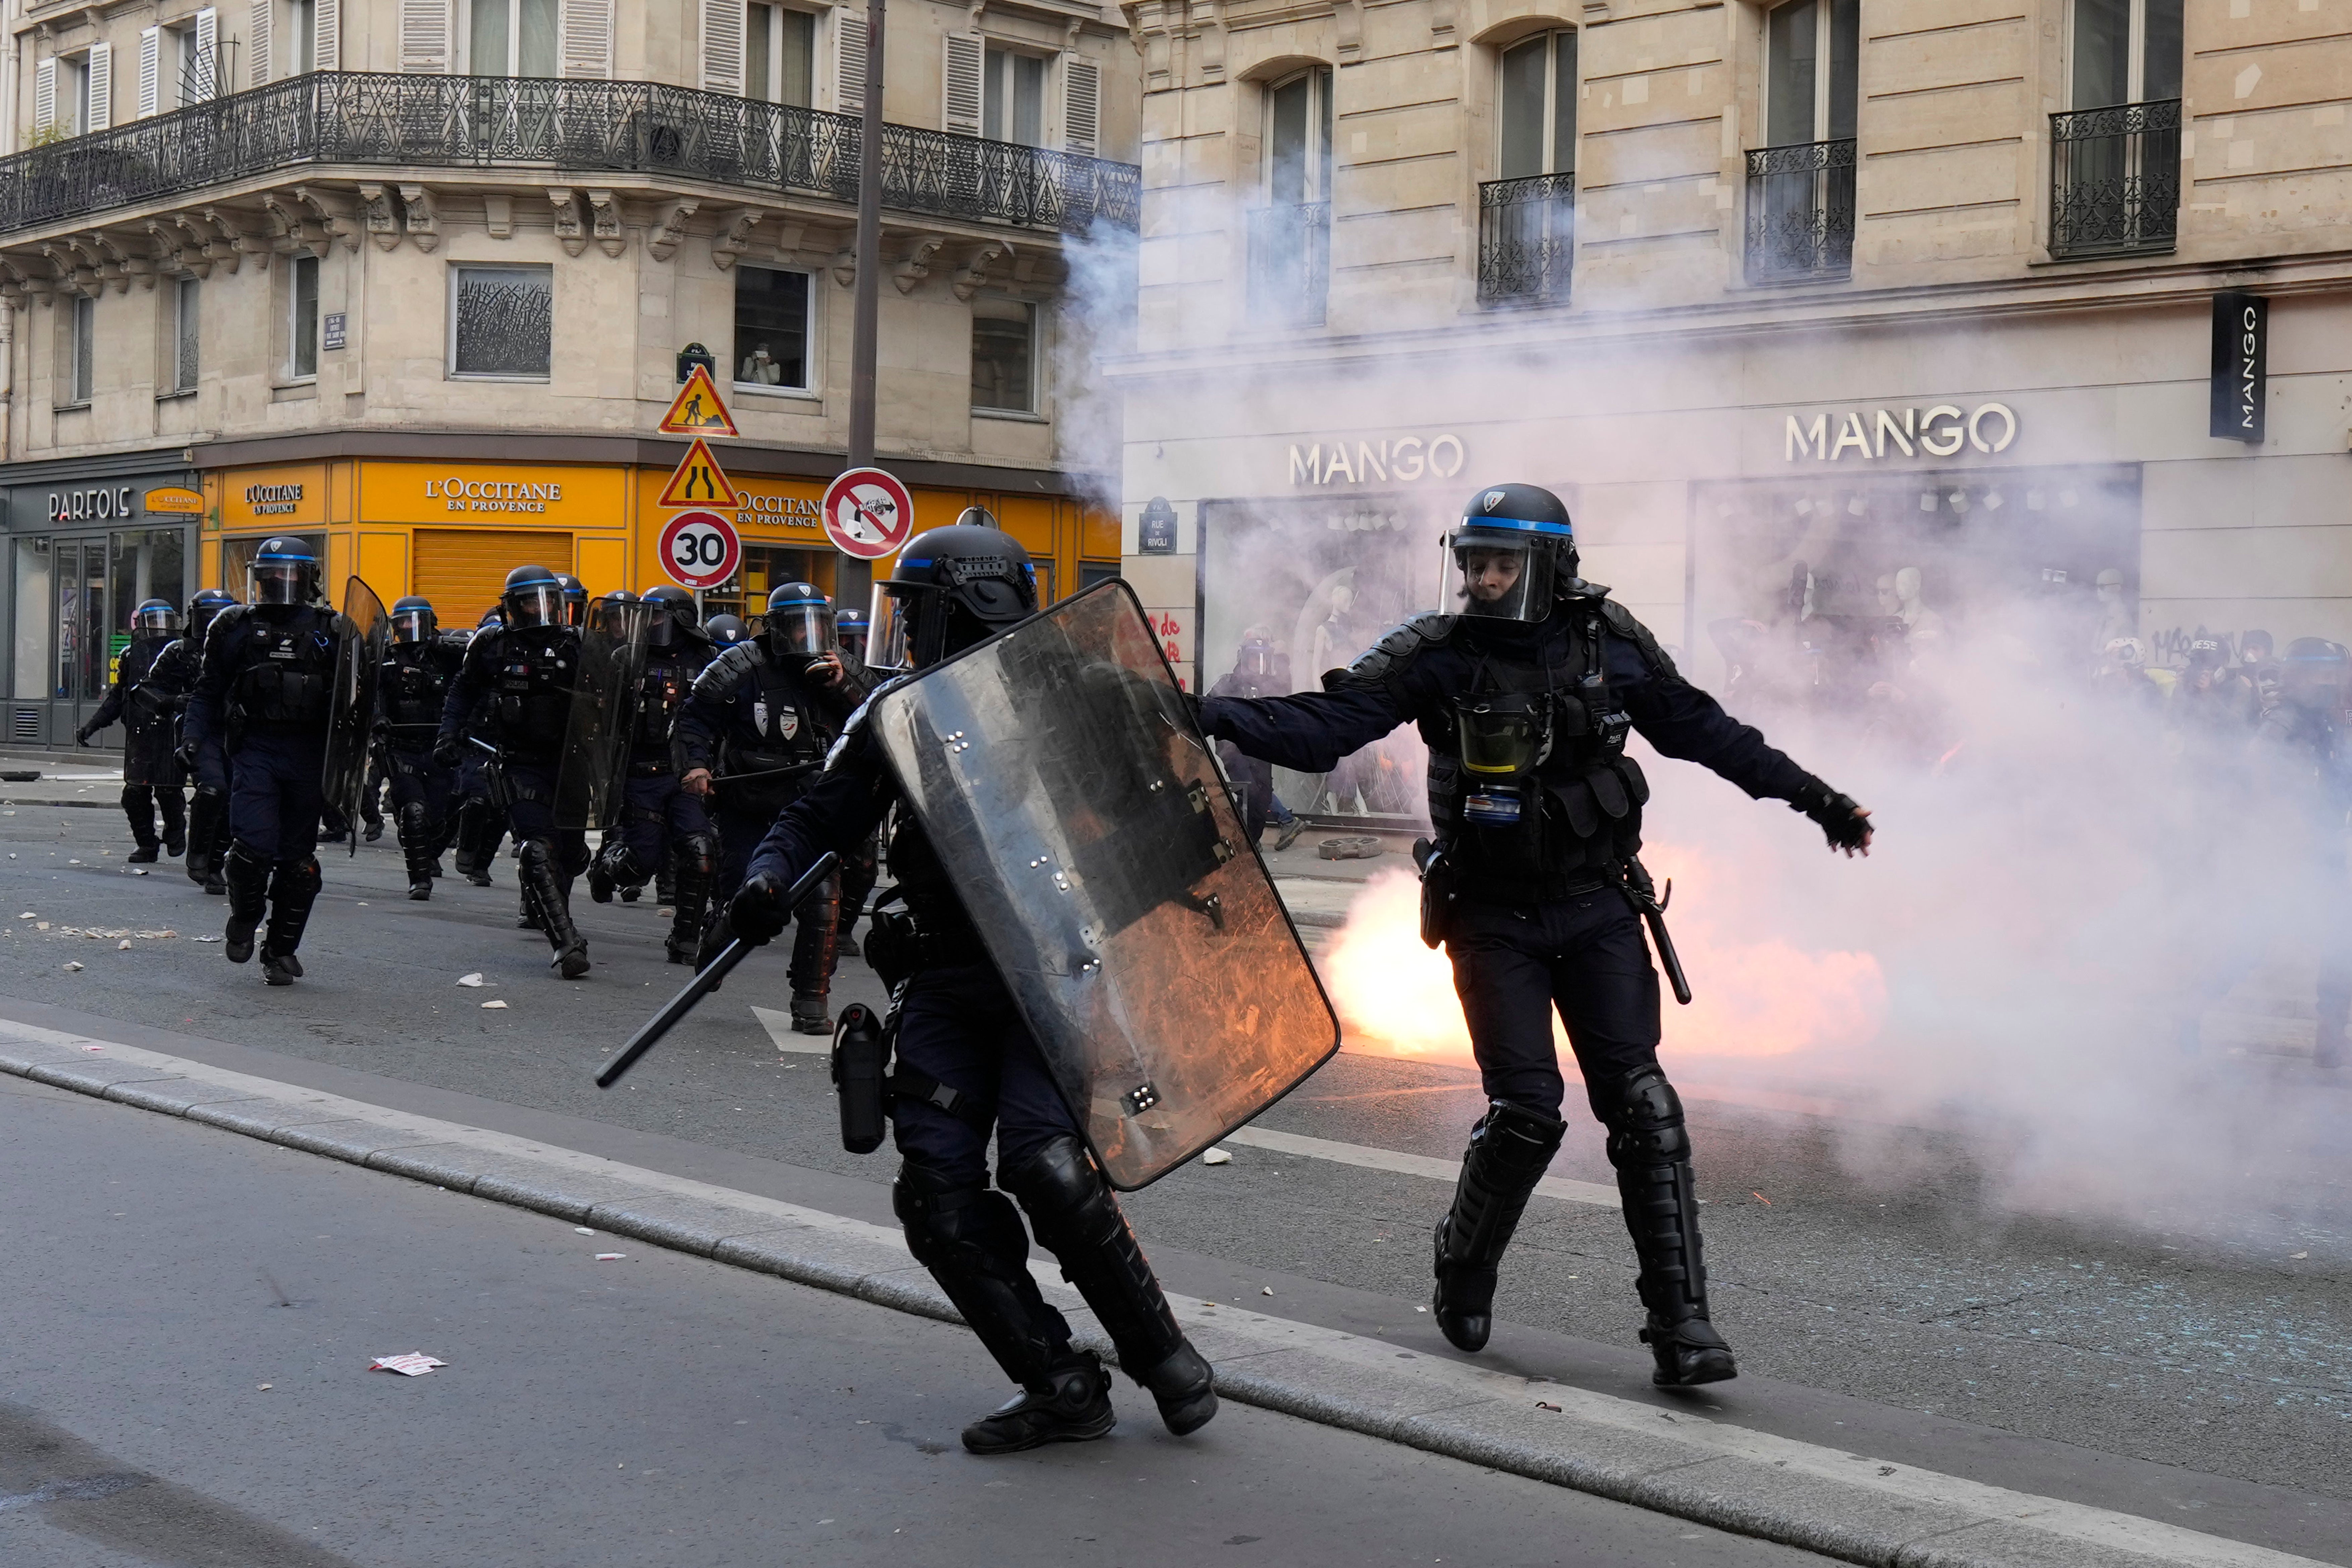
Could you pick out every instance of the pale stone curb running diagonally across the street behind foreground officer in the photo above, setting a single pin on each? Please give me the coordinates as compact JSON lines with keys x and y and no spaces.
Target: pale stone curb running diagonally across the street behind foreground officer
{"x":1725,"y":1477}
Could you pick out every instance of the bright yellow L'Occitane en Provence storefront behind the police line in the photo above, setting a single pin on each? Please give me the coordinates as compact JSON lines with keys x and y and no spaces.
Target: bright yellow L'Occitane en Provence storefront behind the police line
{"x":453,"y":532}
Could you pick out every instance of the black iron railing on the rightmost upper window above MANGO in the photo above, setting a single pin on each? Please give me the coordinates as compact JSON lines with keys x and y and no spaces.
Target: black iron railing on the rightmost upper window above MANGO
{"x":2116,"y":180}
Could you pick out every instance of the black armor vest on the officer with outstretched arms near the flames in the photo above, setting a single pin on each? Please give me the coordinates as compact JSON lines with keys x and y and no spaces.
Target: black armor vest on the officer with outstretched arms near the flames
{"x":1563,"y":815}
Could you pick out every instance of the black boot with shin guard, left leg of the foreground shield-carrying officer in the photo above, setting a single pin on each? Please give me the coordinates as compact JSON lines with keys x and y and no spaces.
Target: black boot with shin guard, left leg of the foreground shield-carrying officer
{"x":970,"y":1238}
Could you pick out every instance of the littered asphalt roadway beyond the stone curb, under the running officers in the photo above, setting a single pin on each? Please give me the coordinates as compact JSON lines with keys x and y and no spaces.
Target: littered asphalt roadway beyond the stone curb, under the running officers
{"x":2219,"y":1353}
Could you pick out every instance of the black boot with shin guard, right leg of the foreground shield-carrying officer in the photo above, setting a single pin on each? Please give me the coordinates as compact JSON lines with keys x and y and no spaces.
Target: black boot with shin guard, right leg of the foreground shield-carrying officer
{"x":1081,"y":1224}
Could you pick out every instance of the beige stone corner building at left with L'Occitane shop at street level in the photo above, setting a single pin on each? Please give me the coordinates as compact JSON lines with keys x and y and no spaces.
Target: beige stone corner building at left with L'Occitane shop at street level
{"x":420,"y":279}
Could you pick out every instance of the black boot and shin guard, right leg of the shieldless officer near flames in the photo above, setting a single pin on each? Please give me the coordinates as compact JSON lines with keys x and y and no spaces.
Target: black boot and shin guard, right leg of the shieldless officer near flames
{"x":1652,"y":1155}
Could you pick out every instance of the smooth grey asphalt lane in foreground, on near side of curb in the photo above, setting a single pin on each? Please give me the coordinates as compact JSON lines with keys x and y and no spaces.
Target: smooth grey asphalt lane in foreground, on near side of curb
{"x":192,"y":1322}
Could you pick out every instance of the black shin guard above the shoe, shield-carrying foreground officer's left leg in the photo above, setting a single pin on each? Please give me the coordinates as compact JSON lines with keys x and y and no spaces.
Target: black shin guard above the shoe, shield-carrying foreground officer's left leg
{"x":970,"y":1238}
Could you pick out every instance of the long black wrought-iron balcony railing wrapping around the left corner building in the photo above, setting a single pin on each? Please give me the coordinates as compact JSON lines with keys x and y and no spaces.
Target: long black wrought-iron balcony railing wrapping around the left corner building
{"x":559,"y":128}
